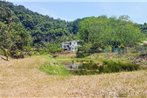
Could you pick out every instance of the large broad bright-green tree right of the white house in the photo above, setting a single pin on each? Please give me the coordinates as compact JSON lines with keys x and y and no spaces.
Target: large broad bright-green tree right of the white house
{"x":101,"y":34}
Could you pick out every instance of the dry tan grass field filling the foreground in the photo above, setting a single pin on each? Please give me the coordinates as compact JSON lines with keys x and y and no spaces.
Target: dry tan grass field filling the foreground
{"x":21,"y":78}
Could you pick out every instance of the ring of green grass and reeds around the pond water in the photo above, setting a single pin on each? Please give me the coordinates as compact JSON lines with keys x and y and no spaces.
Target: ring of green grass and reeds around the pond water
{"x":87,"y":66}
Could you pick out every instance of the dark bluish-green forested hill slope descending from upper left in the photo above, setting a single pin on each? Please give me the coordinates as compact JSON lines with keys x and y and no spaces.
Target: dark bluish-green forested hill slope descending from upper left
{"x":46,"y":28}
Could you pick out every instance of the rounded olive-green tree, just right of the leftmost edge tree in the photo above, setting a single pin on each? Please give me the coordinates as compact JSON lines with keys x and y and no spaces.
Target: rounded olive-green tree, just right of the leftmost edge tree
{"x":21,"y":41}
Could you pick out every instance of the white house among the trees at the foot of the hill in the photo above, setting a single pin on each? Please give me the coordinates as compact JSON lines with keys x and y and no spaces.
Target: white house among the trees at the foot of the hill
{"x":70,"y":45}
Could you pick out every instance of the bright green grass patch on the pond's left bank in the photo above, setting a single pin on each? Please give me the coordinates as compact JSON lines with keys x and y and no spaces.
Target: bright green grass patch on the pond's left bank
{"x":54,"y":69}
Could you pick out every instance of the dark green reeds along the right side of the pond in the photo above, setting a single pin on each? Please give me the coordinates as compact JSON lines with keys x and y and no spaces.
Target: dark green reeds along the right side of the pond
{"x":109,"y":66}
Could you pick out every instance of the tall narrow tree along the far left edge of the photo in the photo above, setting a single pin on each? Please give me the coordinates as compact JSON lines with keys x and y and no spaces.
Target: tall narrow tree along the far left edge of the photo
{"x":5,"y":30}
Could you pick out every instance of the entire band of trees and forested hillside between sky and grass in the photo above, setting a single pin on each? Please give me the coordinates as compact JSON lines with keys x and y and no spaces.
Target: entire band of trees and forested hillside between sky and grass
{"x":24,"y":32}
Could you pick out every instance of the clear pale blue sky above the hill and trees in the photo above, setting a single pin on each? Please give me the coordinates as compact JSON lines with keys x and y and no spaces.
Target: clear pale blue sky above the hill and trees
{"x":72,"y":9}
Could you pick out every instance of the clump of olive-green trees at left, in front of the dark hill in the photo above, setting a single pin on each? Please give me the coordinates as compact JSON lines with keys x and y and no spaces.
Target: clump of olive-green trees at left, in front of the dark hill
{"x":14,"y":37}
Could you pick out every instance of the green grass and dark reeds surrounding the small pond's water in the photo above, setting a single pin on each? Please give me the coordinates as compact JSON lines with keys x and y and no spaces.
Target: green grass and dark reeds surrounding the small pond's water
{"x":94,"y":64}
